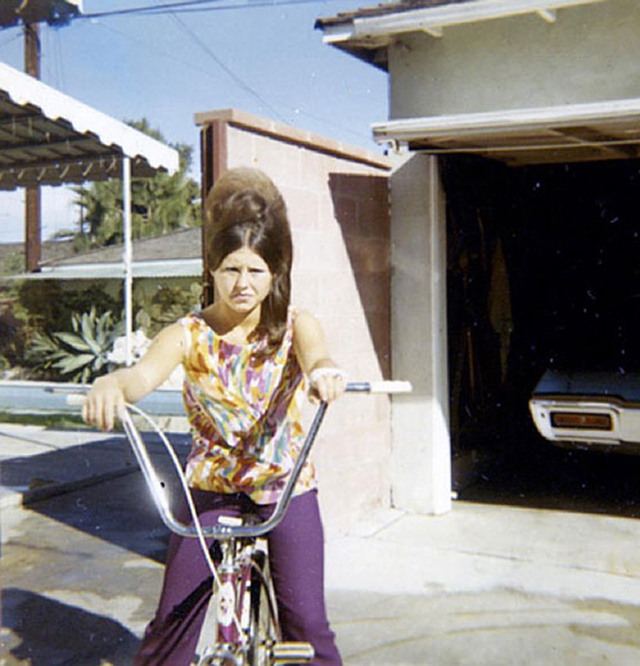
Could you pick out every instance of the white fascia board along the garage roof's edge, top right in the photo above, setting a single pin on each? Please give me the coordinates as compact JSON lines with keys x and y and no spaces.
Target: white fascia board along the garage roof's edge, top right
{"x":434,"y":18}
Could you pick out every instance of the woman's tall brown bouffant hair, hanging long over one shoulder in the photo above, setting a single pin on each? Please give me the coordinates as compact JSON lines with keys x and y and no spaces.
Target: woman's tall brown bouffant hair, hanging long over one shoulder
{"x":246,"y":209}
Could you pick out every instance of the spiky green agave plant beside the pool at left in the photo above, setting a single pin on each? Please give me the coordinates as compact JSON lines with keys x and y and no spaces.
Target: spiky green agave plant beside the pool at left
{"x":83,"y":353}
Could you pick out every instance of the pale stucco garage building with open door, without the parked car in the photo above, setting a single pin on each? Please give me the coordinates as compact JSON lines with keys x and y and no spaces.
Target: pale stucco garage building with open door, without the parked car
{"x":515,"y":131}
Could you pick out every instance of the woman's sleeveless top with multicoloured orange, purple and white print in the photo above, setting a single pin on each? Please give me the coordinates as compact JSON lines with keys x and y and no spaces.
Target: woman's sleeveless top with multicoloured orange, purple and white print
{"x":244,"y":413}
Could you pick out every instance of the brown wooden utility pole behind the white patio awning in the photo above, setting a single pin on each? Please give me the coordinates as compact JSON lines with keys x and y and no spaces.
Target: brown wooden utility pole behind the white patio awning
{"x":32,"y":211}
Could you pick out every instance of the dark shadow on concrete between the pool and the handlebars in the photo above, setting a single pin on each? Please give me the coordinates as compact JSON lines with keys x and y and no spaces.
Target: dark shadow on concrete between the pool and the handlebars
{"x":96,"y":489}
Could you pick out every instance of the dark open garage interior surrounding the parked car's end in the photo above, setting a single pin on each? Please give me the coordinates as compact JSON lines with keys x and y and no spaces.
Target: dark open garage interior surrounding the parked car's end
{"x":543,"y":272}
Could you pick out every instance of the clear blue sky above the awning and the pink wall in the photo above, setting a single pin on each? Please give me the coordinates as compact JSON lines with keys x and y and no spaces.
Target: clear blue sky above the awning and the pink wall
{"x":267,"y":60}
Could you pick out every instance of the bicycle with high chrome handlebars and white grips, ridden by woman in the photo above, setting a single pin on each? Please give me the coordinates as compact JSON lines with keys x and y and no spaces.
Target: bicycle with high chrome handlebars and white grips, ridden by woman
{"x":247,"y":628}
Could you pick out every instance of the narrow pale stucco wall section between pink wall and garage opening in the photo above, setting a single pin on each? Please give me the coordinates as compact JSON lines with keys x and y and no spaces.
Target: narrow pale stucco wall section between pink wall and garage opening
{"x":421,"y":464}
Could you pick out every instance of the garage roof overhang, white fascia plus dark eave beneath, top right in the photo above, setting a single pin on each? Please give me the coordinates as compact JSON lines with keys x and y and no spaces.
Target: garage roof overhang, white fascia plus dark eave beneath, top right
{"x":367,"y":33}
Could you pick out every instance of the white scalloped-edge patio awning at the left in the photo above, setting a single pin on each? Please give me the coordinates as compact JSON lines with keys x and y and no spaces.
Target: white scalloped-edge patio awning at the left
{"x":49,"y":138}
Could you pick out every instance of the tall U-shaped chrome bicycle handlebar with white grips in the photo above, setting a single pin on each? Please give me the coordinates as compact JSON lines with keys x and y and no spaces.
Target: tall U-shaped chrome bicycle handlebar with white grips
{"x":156,"y":486}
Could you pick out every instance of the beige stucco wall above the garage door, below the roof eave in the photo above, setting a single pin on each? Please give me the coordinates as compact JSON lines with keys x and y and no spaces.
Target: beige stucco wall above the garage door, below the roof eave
{"x":590,"y":54}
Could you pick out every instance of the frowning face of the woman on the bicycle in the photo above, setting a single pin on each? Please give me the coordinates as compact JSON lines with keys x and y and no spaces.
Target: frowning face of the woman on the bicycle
{"x":242,"y":280}
